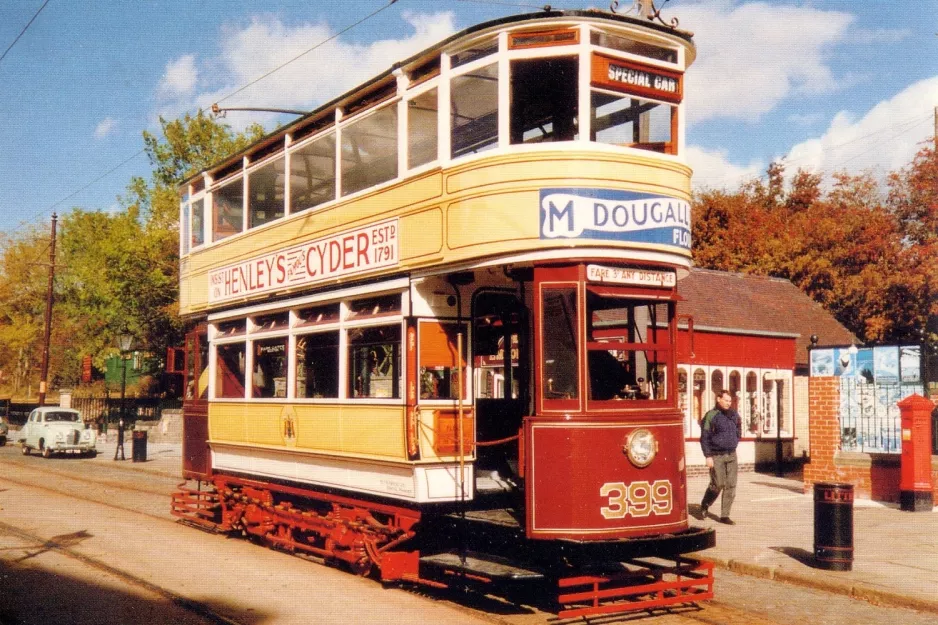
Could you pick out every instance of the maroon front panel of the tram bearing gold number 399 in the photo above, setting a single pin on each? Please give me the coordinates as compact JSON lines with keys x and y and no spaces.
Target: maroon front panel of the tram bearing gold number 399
{"x":582,"y":485}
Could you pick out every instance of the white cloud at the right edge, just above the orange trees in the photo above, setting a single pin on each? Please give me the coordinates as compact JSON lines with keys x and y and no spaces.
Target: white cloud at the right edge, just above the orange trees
{"x":884,"y":139}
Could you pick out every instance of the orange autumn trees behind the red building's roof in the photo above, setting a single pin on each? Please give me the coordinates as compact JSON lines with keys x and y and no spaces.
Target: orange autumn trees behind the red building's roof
{"x":868,"y":255}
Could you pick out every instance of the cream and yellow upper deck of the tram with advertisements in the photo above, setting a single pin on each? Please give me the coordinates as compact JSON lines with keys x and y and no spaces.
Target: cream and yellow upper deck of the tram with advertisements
{"x":516,"y":139}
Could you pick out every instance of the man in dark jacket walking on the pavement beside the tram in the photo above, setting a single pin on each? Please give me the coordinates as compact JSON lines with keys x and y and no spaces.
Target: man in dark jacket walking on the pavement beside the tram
{"x":720,"y":430}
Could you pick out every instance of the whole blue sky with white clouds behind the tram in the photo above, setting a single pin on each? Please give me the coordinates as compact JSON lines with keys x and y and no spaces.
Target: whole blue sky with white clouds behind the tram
{"x":828,"y":85}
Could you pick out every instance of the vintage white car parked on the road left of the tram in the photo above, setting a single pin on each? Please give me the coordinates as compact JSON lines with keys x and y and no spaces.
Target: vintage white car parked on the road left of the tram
{"x":51,"y":430}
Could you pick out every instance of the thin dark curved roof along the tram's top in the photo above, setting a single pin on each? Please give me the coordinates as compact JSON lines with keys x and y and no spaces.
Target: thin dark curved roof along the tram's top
{"x":278,"y":134}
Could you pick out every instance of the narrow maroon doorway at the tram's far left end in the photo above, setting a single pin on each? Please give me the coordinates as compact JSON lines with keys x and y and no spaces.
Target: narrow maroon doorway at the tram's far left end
{"x":196,"y":459}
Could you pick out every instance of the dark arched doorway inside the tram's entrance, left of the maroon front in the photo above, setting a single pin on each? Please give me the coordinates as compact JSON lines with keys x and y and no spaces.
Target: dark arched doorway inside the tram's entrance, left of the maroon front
{"x":502,"y":371}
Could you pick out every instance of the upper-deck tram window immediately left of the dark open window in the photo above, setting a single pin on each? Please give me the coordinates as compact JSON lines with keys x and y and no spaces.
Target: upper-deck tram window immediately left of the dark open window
{"x":474,"y":111}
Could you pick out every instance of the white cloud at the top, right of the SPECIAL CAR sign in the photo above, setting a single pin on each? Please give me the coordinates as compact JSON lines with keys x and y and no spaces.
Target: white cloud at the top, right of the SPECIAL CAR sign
{"x":745,"y":69}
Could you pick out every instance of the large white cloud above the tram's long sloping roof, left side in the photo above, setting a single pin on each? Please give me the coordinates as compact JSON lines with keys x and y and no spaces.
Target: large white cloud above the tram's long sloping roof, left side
{"x":314,"y":77}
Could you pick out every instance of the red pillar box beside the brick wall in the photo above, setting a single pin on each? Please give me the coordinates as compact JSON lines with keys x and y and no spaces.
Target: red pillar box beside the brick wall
{"x":915,"y":485}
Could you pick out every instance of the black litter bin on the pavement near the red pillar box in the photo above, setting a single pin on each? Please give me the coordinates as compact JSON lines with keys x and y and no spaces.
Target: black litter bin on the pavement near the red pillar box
{"x":833,"y":526}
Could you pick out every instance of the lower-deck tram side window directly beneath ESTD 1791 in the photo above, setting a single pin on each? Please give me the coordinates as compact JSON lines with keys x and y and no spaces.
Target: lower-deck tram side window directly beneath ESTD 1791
{"x":374,"y":361}
